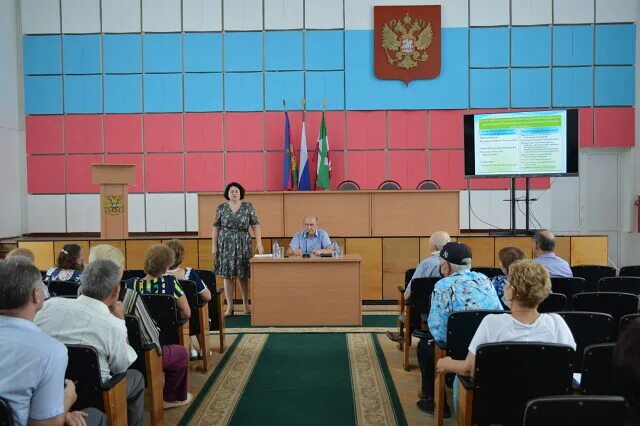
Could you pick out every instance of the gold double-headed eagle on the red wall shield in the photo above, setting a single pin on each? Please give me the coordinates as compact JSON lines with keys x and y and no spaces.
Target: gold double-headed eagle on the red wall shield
{"x":399,"y":36}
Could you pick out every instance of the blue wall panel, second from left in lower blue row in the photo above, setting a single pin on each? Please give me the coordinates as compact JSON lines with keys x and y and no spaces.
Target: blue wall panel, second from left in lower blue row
{"x":83,"y":94}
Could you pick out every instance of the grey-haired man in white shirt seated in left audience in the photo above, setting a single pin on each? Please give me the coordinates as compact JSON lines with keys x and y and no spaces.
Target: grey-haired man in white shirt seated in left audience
{"x":96,"y":319}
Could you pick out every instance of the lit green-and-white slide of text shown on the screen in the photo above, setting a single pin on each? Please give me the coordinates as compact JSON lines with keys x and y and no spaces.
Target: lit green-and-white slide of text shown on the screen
{"x":523,"y":143}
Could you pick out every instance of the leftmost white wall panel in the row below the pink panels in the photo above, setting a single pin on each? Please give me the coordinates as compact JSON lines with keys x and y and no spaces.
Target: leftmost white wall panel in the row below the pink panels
{"x":46,"y":213}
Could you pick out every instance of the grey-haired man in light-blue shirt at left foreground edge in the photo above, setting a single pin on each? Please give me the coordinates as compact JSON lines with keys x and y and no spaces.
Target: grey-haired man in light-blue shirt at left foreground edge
{"x":33,"y":365}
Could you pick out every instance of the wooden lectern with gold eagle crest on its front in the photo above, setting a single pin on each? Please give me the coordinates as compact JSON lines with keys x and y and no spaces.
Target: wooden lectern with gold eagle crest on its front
{"x":114,"y":202}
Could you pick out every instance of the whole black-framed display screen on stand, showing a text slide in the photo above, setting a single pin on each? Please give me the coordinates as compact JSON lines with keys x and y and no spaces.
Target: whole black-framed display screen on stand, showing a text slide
{"x":515,"y":144}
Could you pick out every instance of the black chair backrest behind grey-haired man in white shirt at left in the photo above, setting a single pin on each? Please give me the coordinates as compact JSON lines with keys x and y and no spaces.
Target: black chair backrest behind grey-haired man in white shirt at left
{"x":83,"y":368}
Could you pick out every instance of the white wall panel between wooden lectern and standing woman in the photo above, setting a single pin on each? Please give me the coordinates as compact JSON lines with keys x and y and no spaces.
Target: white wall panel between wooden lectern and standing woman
{"x":165,"y":213}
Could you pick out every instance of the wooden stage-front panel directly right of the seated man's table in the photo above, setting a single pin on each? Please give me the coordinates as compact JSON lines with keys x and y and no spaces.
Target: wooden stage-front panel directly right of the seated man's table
{"x":370,"y":249}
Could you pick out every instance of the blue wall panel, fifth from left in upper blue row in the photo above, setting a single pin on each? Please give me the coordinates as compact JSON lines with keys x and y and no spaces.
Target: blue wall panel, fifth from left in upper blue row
{"x":203,"y":52}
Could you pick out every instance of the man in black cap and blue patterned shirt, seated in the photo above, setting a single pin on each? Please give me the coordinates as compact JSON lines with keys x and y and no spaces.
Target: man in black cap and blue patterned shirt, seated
{"x":460,"y":290}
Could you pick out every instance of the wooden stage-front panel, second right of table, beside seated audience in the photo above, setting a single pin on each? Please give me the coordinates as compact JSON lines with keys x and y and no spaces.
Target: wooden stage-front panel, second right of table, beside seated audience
{"x":398,"y":255}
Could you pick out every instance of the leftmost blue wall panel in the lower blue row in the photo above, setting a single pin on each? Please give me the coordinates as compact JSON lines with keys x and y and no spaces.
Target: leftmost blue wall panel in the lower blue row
{"x":43,"y":94}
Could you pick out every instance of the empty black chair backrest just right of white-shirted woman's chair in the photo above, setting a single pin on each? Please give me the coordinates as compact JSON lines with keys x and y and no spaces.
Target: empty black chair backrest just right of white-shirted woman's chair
{"x":598,"y":377}
